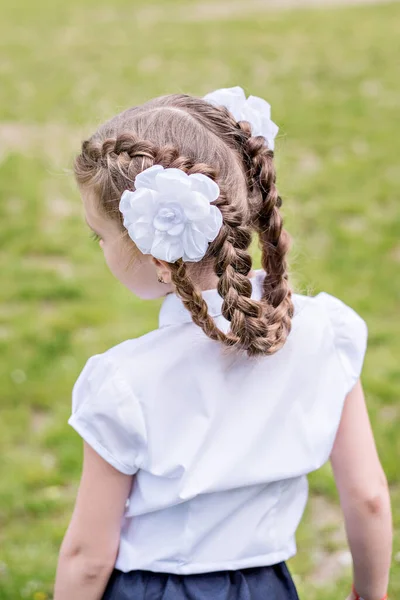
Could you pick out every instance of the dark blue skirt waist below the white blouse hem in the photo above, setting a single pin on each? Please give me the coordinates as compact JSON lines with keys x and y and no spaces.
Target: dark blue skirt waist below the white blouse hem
{"x":260,"y":583}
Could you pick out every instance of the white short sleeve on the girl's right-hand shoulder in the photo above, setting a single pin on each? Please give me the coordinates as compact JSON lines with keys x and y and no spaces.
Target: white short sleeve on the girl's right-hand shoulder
{"x":350,"y":336}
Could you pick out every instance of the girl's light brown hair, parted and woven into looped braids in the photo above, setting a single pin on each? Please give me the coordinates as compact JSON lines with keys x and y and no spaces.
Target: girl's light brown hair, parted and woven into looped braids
{"x":188,"y":133}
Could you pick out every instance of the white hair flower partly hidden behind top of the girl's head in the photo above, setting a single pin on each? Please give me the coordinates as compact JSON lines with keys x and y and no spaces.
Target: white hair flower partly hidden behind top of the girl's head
{"x":253,"y":109}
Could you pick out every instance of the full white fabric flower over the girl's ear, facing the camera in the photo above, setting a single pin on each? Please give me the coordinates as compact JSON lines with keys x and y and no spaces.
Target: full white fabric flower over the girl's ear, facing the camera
{"x":170,"y":215}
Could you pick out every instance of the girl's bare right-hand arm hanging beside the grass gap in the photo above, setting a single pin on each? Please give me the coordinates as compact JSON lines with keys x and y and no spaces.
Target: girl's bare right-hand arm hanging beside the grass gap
{"x":364,"y":498}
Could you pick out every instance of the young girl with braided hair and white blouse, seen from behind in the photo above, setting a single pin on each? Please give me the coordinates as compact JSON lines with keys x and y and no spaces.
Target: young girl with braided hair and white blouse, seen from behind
{"x":198,"y":437}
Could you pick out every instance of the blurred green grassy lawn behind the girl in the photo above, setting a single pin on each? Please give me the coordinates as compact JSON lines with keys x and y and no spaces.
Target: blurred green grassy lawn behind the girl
{"x":331,"y":75}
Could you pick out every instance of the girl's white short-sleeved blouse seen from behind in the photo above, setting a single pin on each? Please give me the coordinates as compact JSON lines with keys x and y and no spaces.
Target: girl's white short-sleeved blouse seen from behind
{"x":220,"y":444}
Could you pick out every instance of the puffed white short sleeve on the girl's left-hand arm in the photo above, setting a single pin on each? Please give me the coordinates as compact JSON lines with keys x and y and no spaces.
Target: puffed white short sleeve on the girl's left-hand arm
{"x":107,"y":415}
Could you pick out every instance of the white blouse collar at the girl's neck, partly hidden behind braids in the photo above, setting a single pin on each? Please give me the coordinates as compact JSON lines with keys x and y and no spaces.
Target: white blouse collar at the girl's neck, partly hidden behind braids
{"x":173,"y":311}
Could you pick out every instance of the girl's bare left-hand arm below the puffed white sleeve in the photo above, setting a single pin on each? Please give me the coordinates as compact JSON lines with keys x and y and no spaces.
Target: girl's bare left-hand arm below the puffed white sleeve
{"x":89,"y":549}
